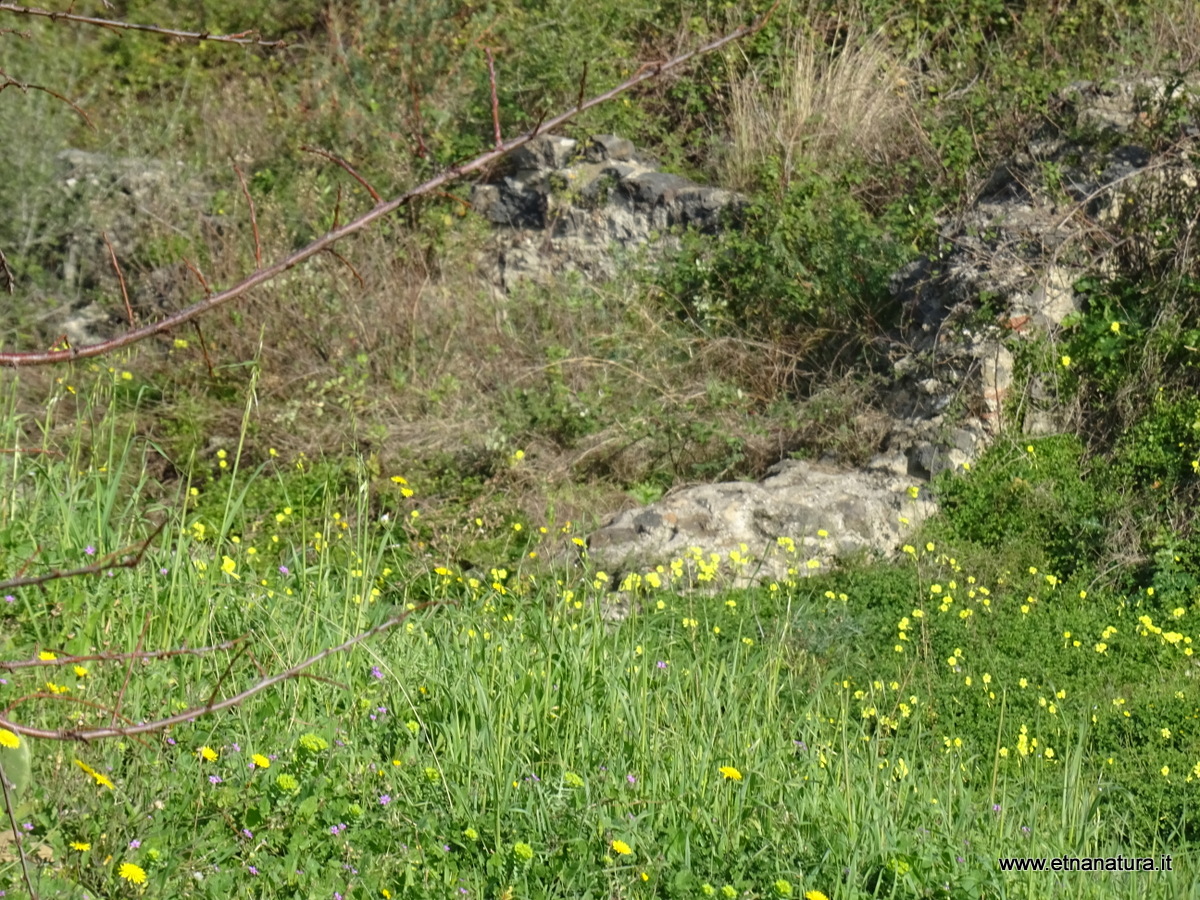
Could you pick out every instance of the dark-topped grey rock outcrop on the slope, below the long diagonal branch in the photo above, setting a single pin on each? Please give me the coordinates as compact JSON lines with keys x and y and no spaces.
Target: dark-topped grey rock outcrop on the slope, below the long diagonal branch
{"x":563,"y":207}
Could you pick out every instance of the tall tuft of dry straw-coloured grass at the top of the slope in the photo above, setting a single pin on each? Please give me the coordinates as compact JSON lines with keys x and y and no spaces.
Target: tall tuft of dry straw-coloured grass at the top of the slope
{"x":832,"y":101}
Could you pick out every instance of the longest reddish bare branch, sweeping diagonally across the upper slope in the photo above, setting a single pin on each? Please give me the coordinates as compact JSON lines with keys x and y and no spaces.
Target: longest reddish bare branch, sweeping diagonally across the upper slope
{"x":370,"y":218}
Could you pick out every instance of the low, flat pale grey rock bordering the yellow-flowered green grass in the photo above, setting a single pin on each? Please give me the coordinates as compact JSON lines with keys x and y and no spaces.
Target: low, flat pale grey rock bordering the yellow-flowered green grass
{"x":743,"y":523}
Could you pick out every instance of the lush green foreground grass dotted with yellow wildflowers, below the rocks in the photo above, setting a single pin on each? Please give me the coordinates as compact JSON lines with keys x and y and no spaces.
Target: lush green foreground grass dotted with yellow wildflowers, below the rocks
{"x":506,"y":737}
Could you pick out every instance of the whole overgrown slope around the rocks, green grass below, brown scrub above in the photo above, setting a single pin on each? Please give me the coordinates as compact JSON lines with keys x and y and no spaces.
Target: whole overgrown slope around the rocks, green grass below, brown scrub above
{"x":517,"y":717}
